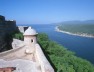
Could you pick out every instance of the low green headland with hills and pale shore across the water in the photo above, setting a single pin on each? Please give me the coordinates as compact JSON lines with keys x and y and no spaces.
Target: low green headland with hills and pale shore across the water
{"x":81,"y":28}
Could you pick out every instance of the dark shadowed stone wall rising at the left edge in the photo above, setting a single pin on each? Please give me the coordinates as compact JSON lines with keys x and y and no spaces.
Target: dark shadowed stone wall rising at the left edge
{"x":6,"y":28}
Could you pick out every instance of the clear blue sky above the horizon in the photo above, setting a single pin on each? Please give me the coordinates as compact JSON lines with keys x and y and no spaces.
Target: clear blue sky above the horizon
{"x":46,"y":11}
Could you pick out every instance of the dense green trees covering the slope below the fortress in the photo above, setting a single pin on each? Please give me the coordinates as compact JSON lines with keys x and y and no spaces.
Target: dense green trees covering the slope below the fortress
{"x":62,"y":59}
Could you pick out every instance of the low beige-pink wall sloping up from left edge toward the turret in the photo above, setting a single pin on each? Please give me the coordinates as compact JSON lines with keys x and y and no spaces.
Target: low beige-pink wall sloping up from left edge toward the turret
{"x":13,"y":53}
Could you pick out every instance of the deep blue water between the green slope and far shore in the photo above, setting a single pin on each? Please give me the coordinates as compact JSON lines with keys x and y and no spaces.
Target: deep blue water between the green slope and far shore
{"x":82,"y":46}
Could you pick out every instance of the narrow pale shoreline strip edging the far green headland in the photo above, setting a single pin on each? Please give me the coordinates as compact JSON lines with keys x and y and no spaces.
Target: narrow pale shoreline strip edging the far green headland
{"x":77,"y":34}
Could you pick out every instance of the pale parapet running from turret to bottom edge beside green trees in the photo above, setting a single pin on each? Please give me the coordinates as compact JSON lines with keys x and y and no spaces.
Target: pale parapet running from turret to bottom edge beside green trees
{"x":45,"y":65}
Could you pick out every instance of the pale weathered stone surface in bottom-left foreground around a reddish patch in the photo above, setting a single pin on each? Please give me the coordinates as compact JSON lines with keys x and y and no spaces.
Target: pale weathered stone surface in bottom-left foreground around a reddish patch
{"x":21,"y":65}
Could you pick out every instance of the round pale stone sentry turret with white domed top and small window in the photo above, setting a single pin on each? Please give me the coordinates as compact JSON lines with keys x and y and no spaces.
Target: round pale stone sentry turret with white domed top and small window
{"x":30,"y":37}
